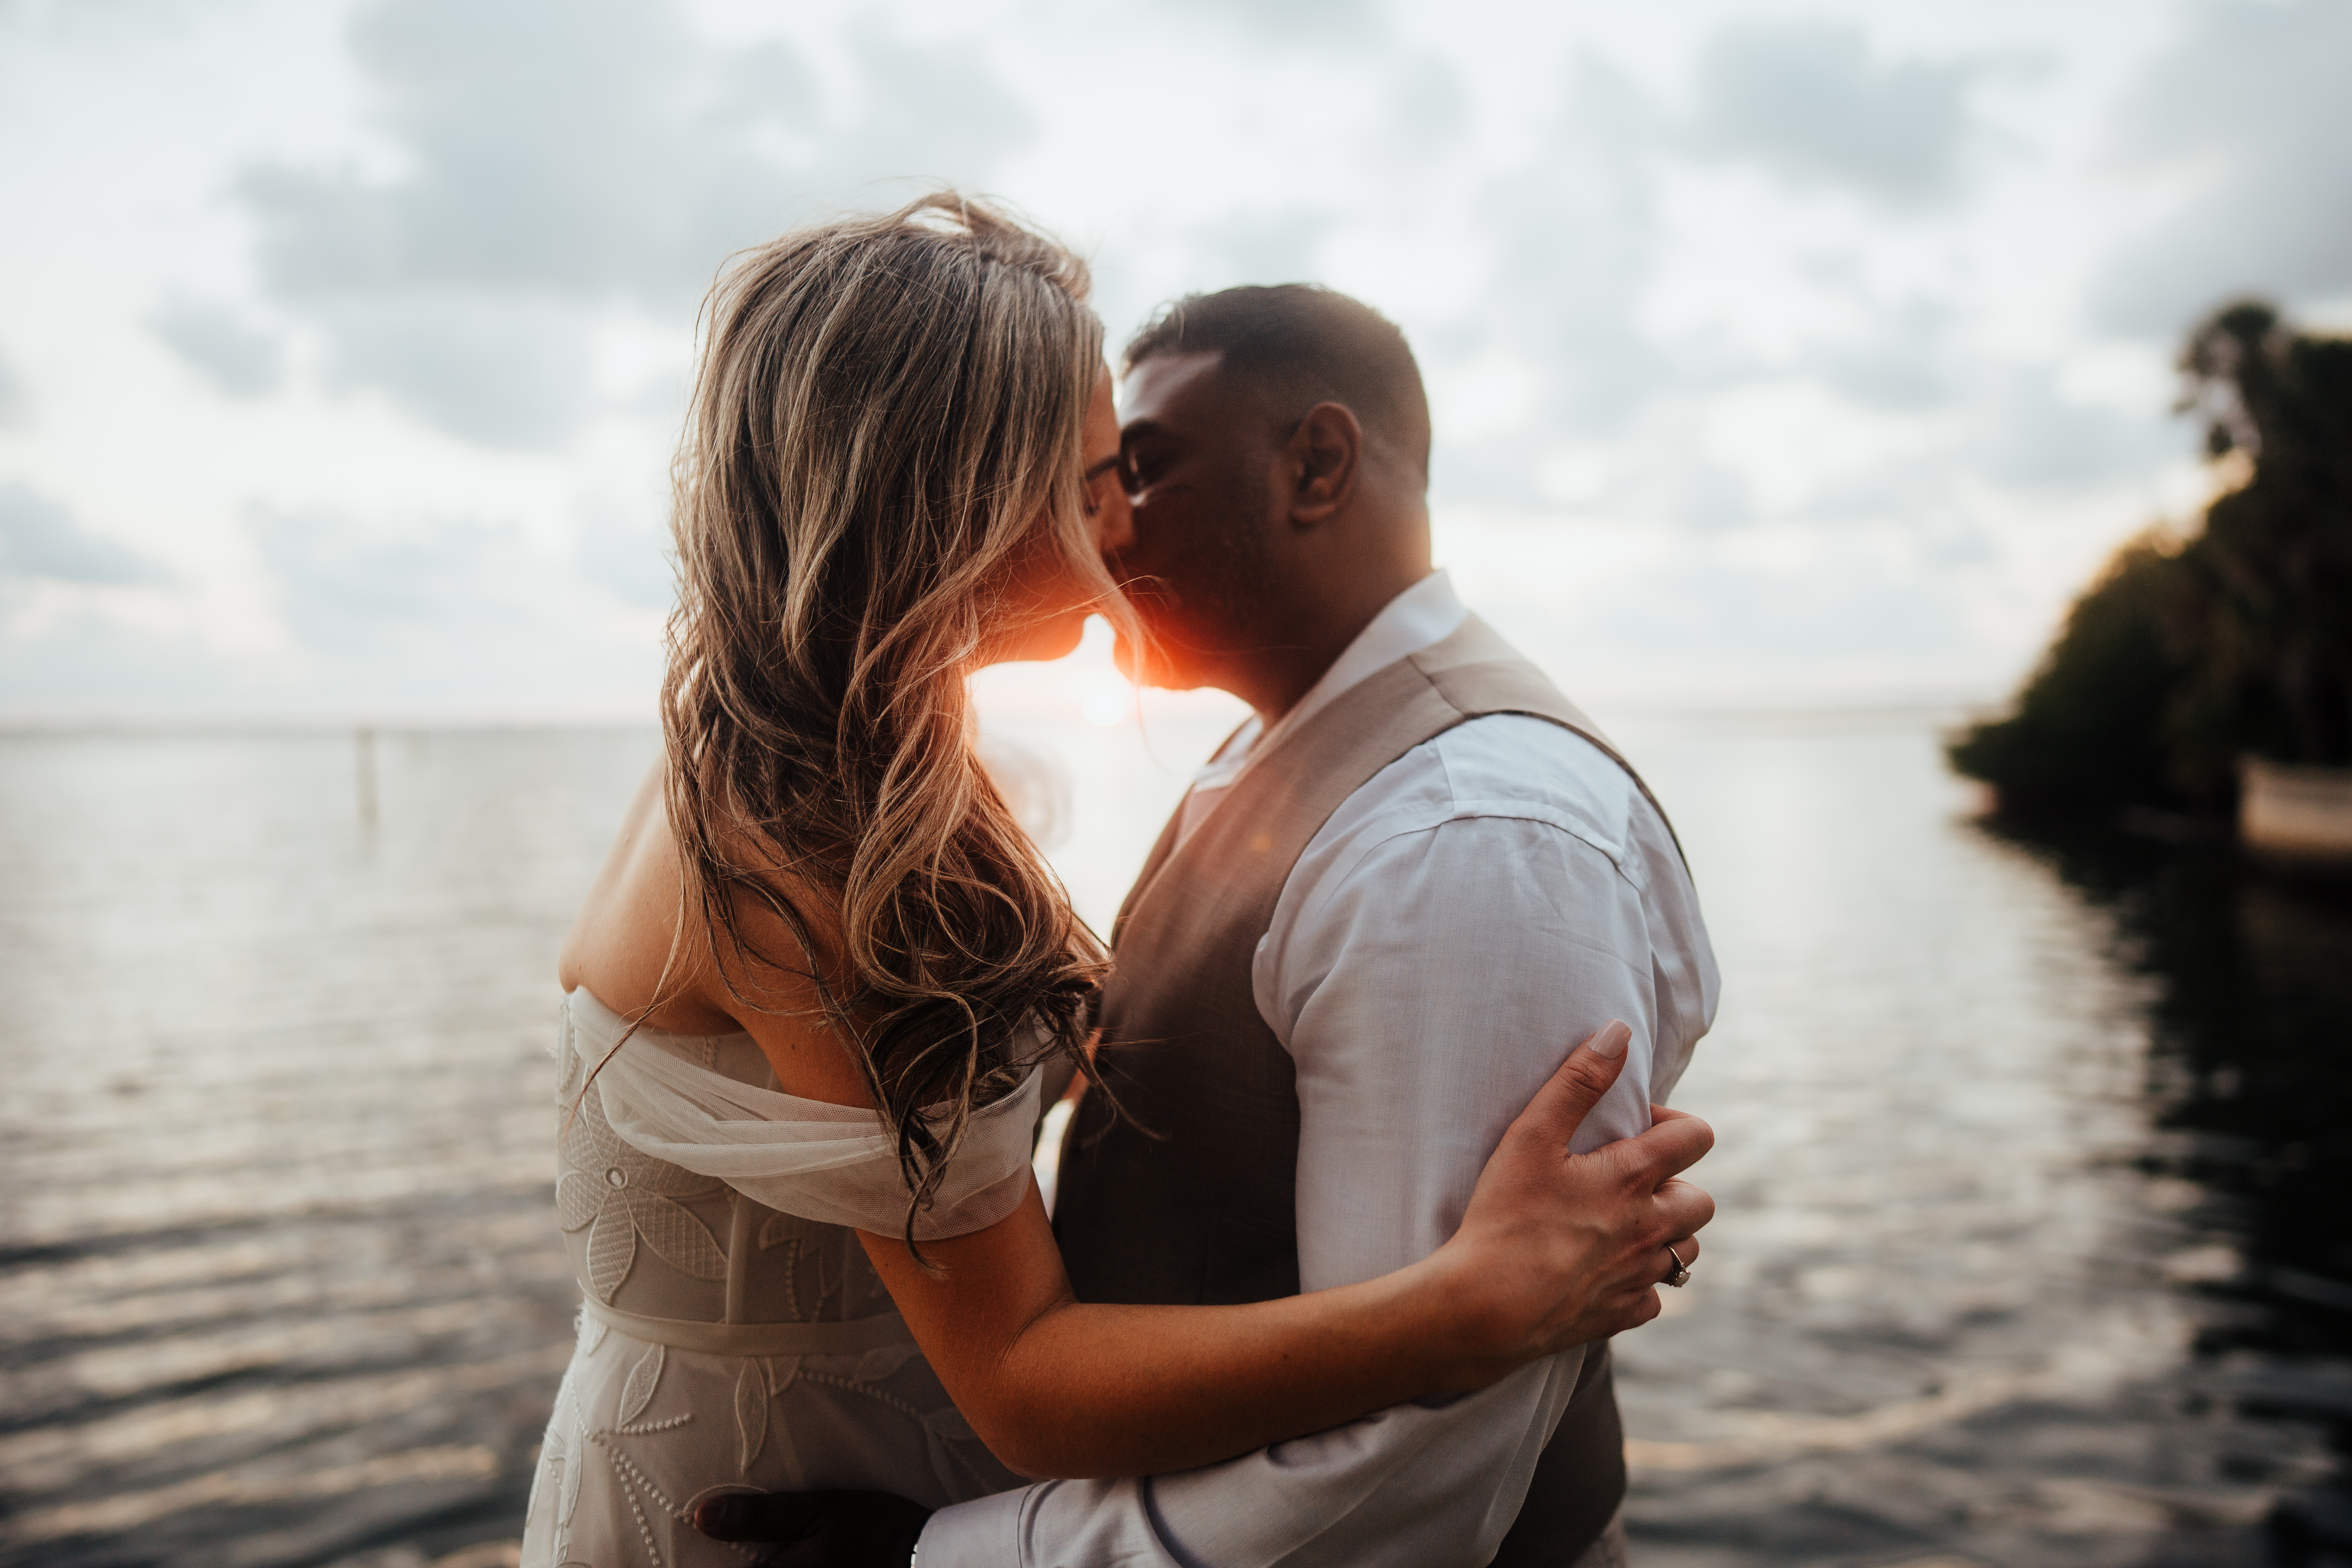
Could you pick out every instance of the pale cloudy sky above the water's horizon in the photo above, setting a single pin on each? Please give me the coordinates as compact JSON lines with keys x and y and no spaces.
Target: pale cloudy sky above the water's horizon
{"x":1782,"y":354}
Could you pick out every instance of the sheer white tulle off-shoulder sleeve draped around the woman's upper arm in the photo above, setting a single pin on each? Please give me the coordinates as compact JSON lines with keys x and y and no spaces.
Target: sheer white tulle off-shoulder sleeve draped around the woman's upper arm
{"x":813,"y":1160}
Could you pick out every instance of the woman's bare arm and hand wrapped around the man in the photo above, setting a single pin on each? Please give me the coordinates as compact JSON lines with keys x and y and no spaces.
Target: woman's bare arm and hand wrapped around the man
{"x":1553,"y":1252}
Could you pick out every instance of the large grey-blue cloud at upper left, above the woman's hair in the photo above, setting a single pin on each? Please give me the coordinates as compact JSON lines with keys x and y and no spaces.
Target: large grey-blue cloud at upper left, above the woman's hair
{"x":549,"y":175}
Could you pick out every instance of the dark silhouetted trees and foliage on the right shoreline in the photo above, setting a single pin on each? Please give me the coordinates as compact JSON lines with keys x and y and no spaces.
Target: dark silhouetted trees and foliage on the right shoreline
{"x":2179,"y":662}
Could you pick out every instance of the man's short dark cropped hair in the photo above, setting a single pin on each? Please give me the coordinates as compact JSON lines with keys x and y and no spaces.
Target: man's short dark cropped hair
{"x":1304,"y":344}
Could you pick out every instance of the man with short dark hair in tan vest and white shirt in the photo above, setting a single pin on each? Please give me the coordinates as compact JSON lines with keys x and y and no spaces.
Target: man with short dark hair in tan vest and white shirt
{"x":1349,"y":960}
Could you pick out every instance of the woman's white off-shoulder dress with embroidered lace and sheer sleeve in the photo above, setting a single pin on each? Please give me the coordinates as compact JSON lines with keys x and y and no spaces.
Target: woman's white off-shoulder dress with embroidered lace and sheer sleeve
{"x":733,"y":1332}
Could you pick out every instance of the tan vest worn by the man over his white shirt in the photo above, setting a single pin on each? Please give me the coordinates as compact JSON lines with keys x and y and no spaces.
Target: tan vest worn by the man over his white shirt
{"x":1189,"y":1195}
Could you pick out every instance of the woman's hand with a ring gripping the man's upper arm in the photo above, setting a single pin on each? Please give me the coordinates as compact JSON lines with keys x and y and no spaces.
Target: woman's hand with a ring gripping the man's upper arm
{"x":1561,"y":1249}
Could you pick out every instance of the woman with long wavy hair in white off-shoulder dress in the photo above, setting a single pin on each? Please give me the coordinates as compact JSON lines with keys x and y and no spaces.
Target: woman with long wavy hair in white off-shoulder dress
{"x":824,"y":986}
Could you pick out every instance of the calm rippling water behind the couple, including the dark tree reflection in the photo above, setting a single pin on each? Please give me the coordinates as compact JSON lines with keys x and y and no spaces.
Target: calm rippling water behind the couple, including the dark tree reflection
{"x":2033,"y":1240}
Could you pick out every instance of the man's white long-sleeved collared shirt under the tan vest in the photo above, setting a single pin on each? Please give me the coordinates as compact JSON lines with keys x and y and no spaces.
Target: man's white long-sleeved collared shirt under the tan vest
{"x":1443,"y":942}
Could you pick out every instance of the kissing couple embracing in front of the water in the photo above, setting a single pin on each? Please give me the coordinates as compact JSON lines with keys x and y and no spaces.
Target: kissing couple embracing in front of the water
{"x":1342,"y":1219}
